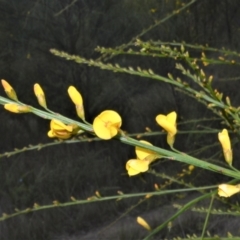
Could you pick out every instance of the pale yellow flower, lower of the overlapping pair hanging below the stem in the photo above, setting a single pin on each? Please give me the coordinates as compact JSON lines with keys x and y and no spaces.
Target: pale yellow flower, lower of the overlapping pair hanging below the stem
{"x":136,"y":166}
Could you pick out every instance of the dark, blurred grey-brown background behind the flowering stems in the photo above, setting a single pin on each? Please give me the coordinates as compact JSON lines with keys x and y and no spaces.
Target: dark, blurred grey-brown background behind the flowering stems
{"x":28,"y":29}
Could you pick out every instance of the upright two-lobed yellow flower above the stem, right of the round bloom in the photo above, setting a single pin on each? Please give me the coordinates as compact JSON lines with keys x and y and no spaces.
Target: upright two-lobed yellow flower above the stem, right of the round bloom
{"x":168,"y":122}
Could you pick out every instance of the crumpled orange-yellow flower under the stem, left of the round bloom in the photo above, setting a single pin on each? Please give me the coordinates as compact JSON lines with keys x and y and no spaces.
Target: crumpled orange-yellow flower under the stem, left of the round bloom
{"x":60,"y":130}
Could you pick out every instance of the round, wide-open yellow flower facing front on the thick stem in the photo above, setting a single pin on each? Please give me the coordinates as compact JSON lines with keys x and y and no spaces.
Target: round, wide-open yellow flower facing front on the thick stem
{"x":107,"y":124}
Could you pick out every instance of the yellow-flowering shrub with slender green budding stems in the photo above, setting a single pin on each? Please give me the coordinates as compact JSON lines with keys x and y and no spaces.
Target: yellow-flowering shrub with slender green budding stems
{"x":107,"y":125}
